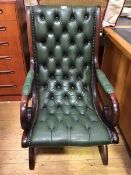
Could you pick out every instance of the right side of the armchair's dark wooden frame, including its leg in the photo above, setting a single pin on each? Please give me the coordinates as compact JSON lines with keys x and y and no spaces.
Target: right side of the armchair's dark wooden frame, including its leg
{"x":114,"y":105}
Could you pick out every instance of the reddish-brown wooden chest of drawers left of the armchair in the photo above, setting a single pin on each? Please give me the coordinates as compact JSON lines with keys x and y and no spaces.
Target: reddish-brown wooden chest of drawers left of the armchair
{"x":13,"y":48}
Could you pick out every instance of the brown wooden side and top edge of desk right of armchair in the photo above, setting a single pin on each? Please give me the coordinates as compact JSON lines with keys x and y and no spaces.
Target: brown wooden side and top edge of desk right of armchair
{"x":117,"y":66}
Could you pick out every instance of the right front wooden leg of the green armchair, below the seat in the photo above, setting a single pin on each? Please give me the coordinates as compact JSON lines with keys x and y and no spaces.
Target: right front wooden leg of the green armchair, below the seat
{"x":103,"y":149}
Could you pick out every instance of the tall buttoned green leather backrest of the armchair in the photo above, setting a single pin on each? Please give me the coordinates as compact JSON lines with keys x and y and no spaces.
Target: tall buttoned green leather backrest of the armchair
{"x":63,"y":44}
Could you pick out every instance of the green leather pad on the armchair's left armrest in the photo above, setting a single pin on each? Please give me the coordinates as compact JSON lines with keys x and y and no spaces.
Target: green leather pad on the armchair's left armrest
{"x":28,"y":83}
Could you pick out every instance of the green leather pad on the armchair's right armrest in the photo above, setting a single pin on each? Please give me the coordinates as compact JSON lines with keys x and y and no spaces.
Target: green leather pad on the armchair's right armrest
{"x":106,"y":85}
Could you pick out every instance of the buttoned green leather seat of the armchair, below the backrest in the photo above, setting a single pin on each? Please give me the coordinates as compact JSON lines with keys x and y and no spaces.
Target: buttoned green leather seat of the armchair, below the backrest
{"x":69,"y":129}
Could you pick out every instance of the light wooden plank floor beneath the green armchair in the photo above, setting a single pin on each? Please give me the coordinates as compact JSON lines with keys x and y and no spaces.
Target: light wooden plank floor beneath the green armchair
{"x":66,"y":161}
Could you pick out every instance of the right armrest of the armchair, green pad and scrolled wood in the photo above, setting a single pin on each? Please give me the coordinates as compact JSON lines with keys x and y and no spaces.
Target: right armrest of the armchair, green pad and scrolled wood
{"x":110,"y":112}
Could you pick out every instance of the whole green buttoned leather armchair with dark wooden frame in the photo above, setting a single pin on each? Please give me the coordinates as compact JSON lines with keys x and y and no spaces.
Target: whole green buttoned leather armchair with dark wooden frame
{"x":67,"y":106}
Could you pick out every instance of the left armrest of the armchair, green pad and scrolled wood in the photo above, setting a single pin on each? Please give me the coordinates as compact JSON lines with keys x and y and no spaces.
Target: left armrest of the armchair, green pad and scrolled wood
{"x":25,"y":111}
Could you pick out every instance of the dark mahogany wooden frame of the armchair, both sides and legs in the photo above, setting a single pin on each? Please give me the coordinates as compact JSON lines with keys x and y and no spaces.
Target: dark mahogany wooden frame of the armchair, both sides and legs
{"x":27,"y":115}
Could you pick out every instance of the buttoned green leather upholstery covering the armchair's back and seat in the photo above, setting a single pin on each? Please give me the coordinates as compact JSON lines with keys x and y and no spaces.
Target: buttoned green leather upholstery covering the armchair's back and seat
{"x":63,"y":40}
